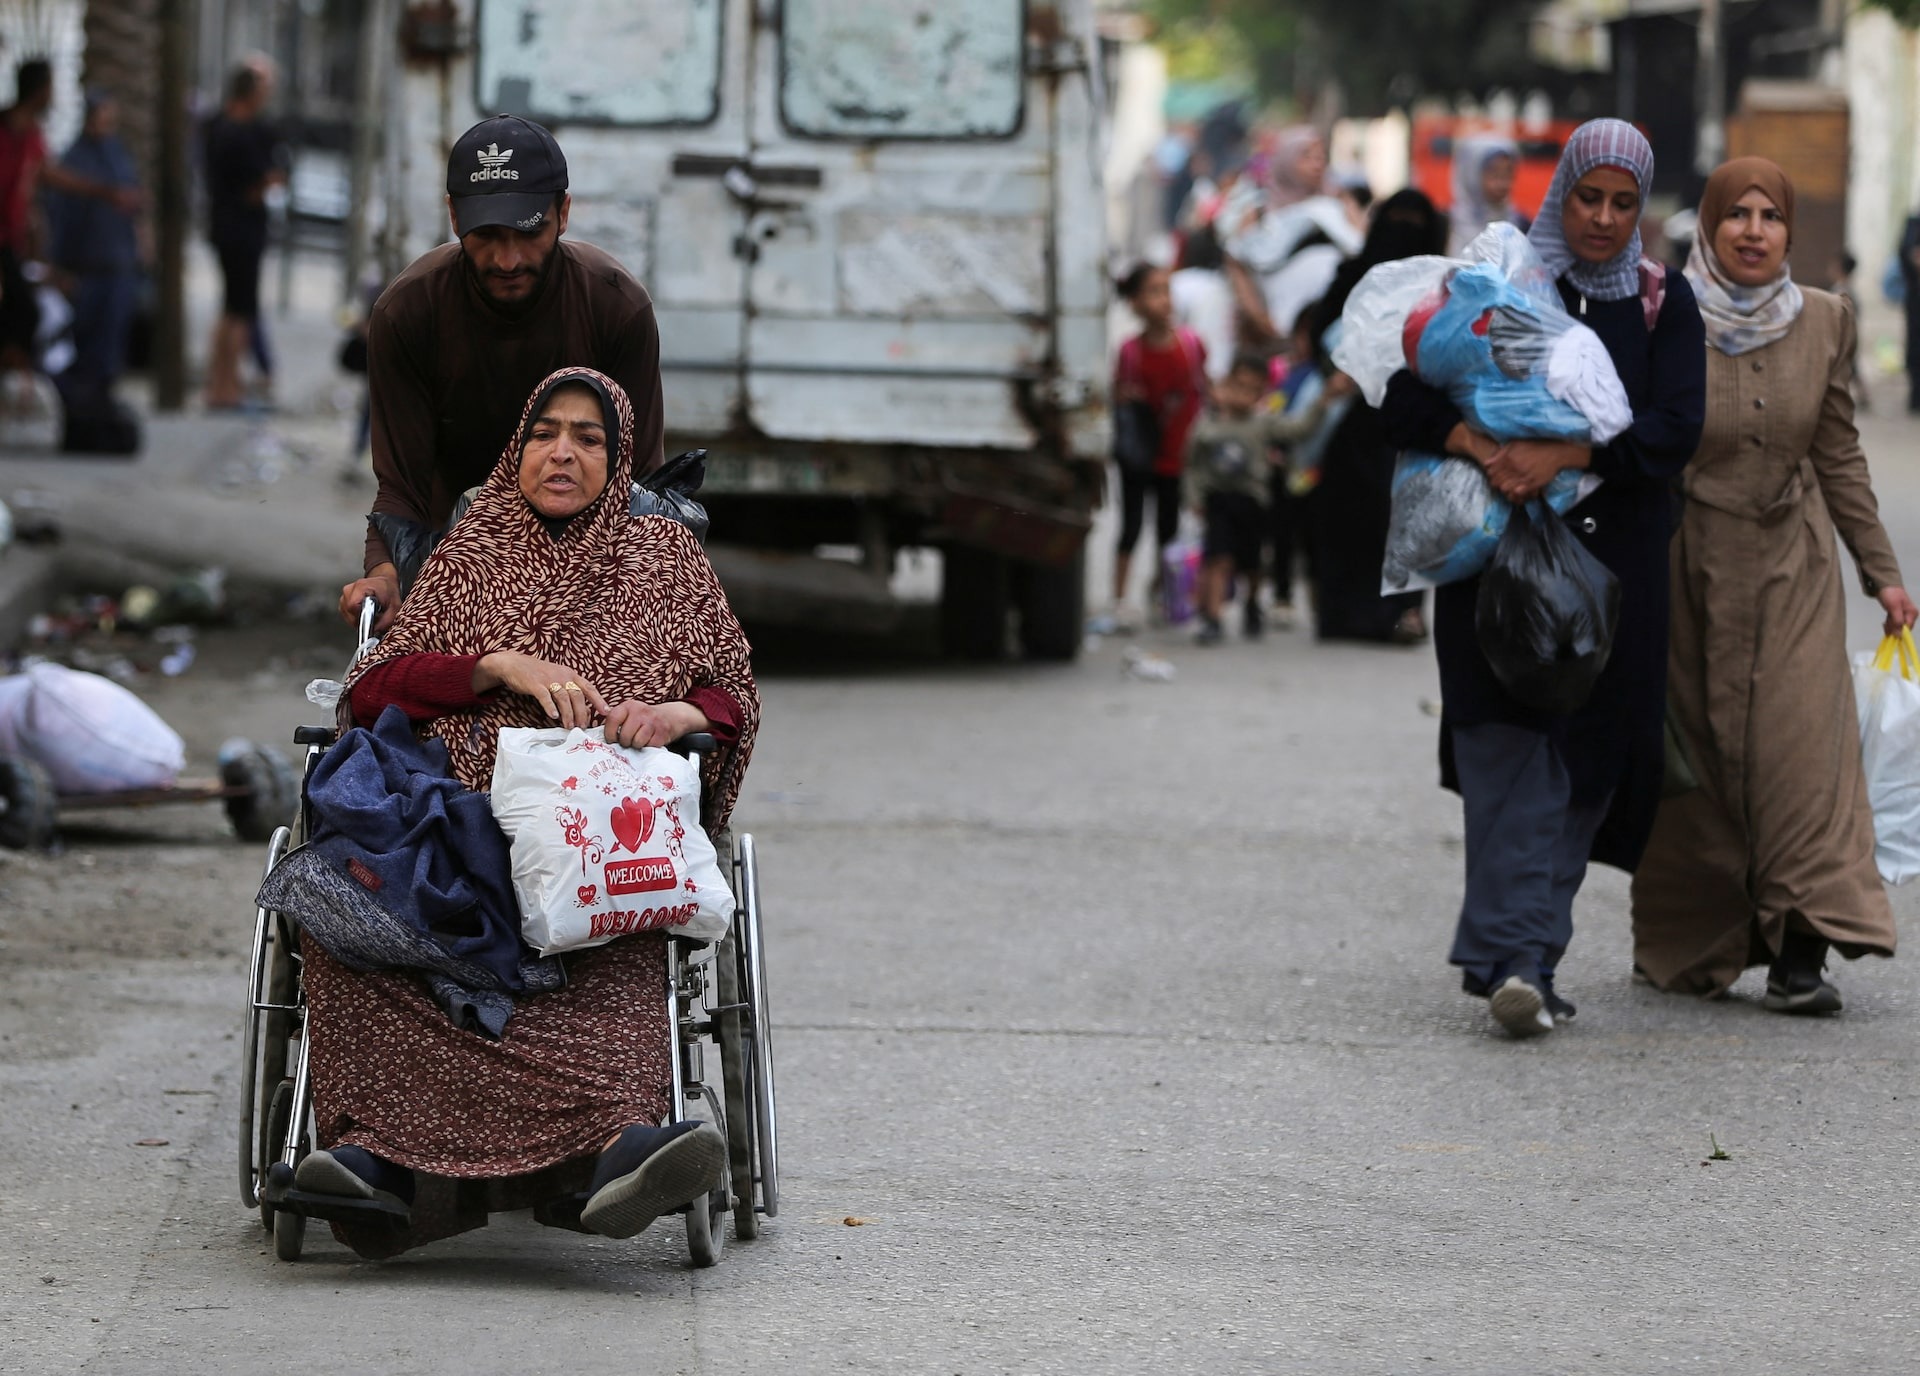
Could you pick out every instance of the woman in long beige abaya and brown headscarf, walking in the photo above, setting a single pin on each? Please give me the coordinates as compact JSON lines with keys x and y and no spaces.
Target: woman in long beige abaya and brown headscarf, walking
{"x":1771,"y":859}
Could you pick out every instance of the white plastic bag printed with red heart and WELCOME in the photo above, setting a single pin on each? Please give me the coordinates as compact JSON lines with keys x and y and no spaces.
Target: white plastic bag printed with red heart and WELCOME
{"x":606,"y":842}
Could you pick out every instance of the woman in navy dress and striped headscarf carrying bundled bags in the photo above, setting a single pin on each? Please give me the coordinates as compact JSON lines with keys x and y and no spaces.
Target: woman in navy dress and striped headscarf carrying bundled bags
{"x":1547,"y":795}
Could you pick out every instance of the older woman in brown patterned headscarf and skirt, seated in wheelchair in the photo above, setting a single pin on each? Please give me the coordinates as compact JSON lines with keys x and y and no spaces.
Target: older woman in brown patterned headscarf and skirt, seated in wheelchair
{"x":544,"y":607}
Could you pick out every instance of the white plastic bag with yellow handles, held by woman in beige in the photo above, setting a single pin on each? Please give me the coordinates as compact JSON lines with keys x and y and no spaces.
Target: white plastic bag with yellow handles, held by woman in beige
{"x":1886,"y":688}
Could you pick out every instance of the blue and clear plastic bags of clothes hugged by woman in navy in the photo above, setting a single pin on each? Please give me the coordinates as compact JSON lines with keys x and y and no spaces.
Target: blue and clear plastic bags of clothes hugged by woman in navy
{"x":1491,"y":331}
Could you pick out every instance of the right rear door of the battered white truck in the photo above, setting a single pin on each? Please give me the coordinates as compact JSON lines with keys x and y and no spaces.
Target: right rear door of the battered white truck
{"x":896,"y":225}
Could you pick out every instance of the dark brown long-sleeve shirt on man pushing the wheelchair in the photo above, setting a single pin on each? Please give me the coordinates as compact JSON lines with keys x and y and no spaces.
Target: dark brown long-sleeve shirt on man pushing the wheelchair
{"x":448,"y":373}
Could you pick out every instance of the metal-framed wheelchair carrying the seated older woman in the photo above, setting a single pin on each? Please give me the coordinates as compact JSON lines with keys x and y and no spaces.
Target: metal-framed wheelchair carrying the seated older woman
{"x":715,"y":999}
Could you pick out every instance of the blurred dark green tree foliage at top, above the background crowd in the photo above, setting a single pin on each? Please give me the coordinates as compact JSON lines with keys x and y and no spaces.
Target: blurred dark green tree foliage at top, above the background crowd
{"x":1380,"y":51}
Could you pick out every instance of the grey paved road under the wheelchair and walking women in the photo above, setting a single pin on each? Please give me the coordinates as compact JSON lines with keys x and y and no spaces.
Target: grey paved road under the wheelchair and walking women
{"x":1116,"y":1012}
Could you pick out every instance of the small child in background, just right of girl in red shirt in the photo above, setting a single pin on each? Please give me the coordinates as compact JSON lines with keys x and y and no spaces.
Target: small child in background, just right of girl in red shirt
{"x":1232,"y":456}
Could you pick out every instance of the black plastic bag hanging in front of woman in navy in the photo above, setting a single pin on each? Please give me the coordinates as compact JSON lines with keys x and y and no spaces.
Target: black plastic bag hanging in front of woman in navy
{"x":1547,"y":613}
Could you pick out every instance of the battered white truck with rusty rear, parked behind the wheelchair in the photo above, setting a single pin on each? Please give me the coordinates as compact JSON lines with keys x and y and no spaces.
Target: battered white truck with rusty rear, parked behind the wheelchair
{"x":875,"y":237}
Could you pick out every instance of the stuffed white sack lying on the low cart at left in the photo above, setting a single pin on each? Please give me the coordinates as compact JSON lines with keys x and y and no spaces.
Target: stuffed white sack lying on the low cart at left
{"x":93,"y":736}
